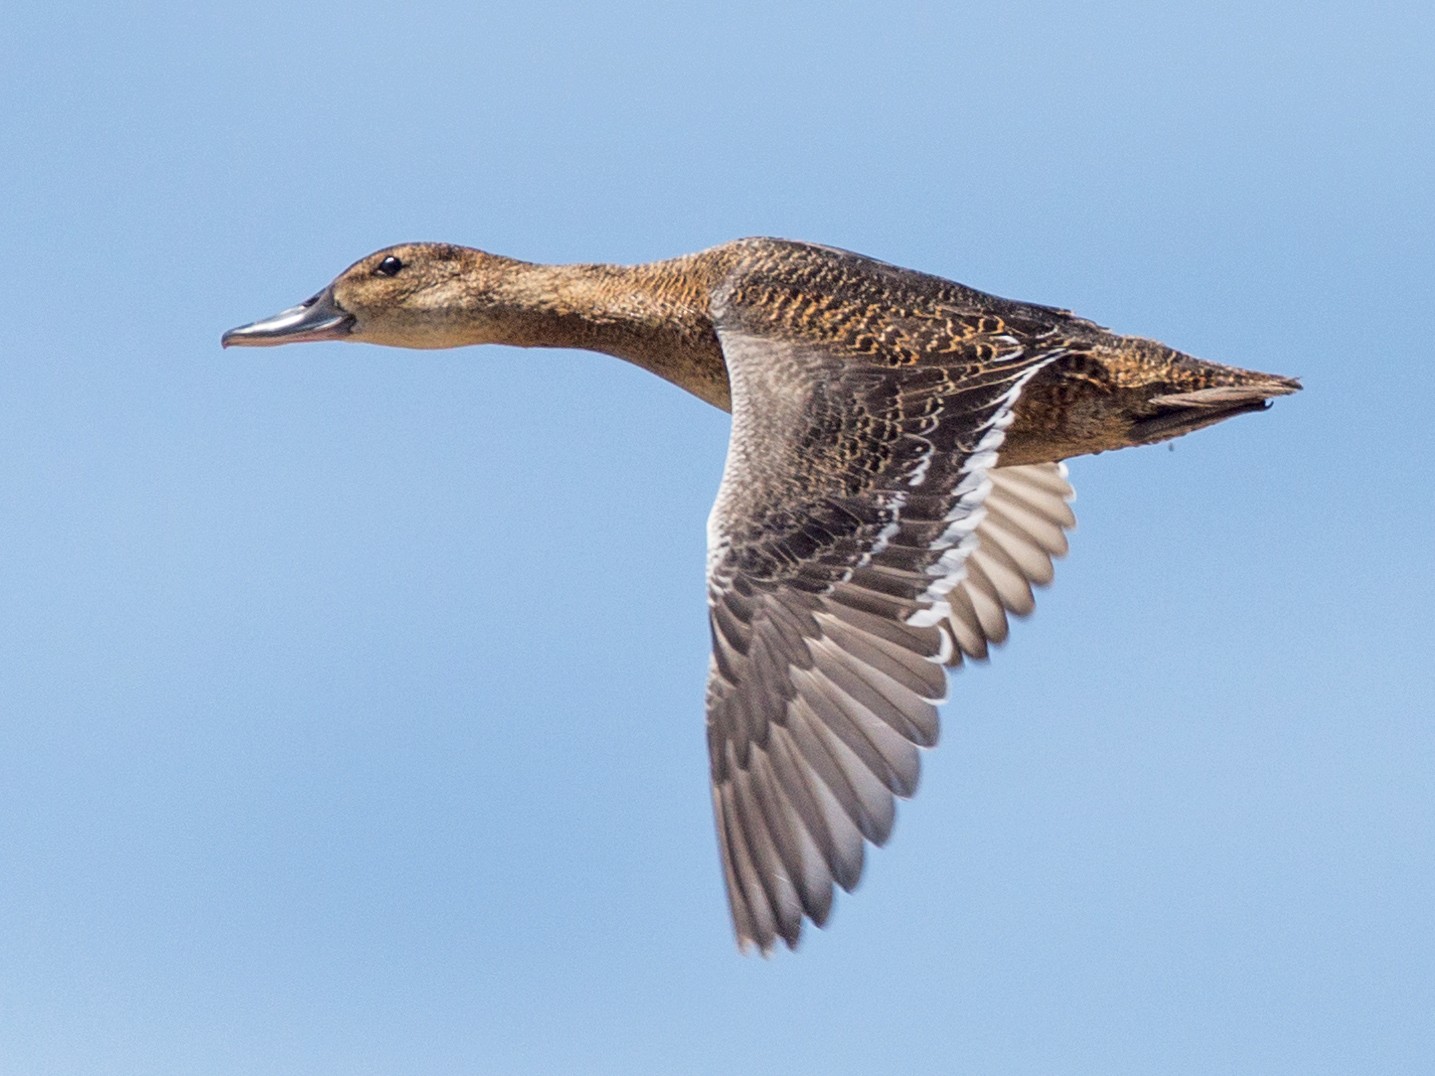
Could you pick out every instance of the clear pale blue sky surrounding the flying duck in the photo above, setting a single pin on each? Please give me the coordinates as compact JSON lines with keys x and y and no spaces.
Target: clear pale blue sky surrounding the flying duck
{"x":351,"y":701}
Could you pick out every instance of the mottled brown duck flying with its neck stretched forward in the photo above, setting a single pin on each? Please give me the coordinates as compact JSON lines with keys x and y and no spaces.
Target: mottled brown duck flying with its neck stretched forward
{"x":895,"y":489}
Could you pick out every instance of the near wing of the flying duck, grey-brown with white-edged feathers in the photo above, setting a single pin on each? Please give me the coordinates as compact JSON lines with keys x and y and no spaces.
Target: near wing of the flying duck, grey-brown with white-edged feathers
{"x":853,"y":487}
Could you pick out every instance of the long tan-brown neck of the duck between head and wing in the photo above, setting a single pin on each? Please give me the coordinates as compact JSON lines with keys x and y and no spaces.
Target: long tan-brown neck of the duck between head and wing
{"x":655,"y":316}
